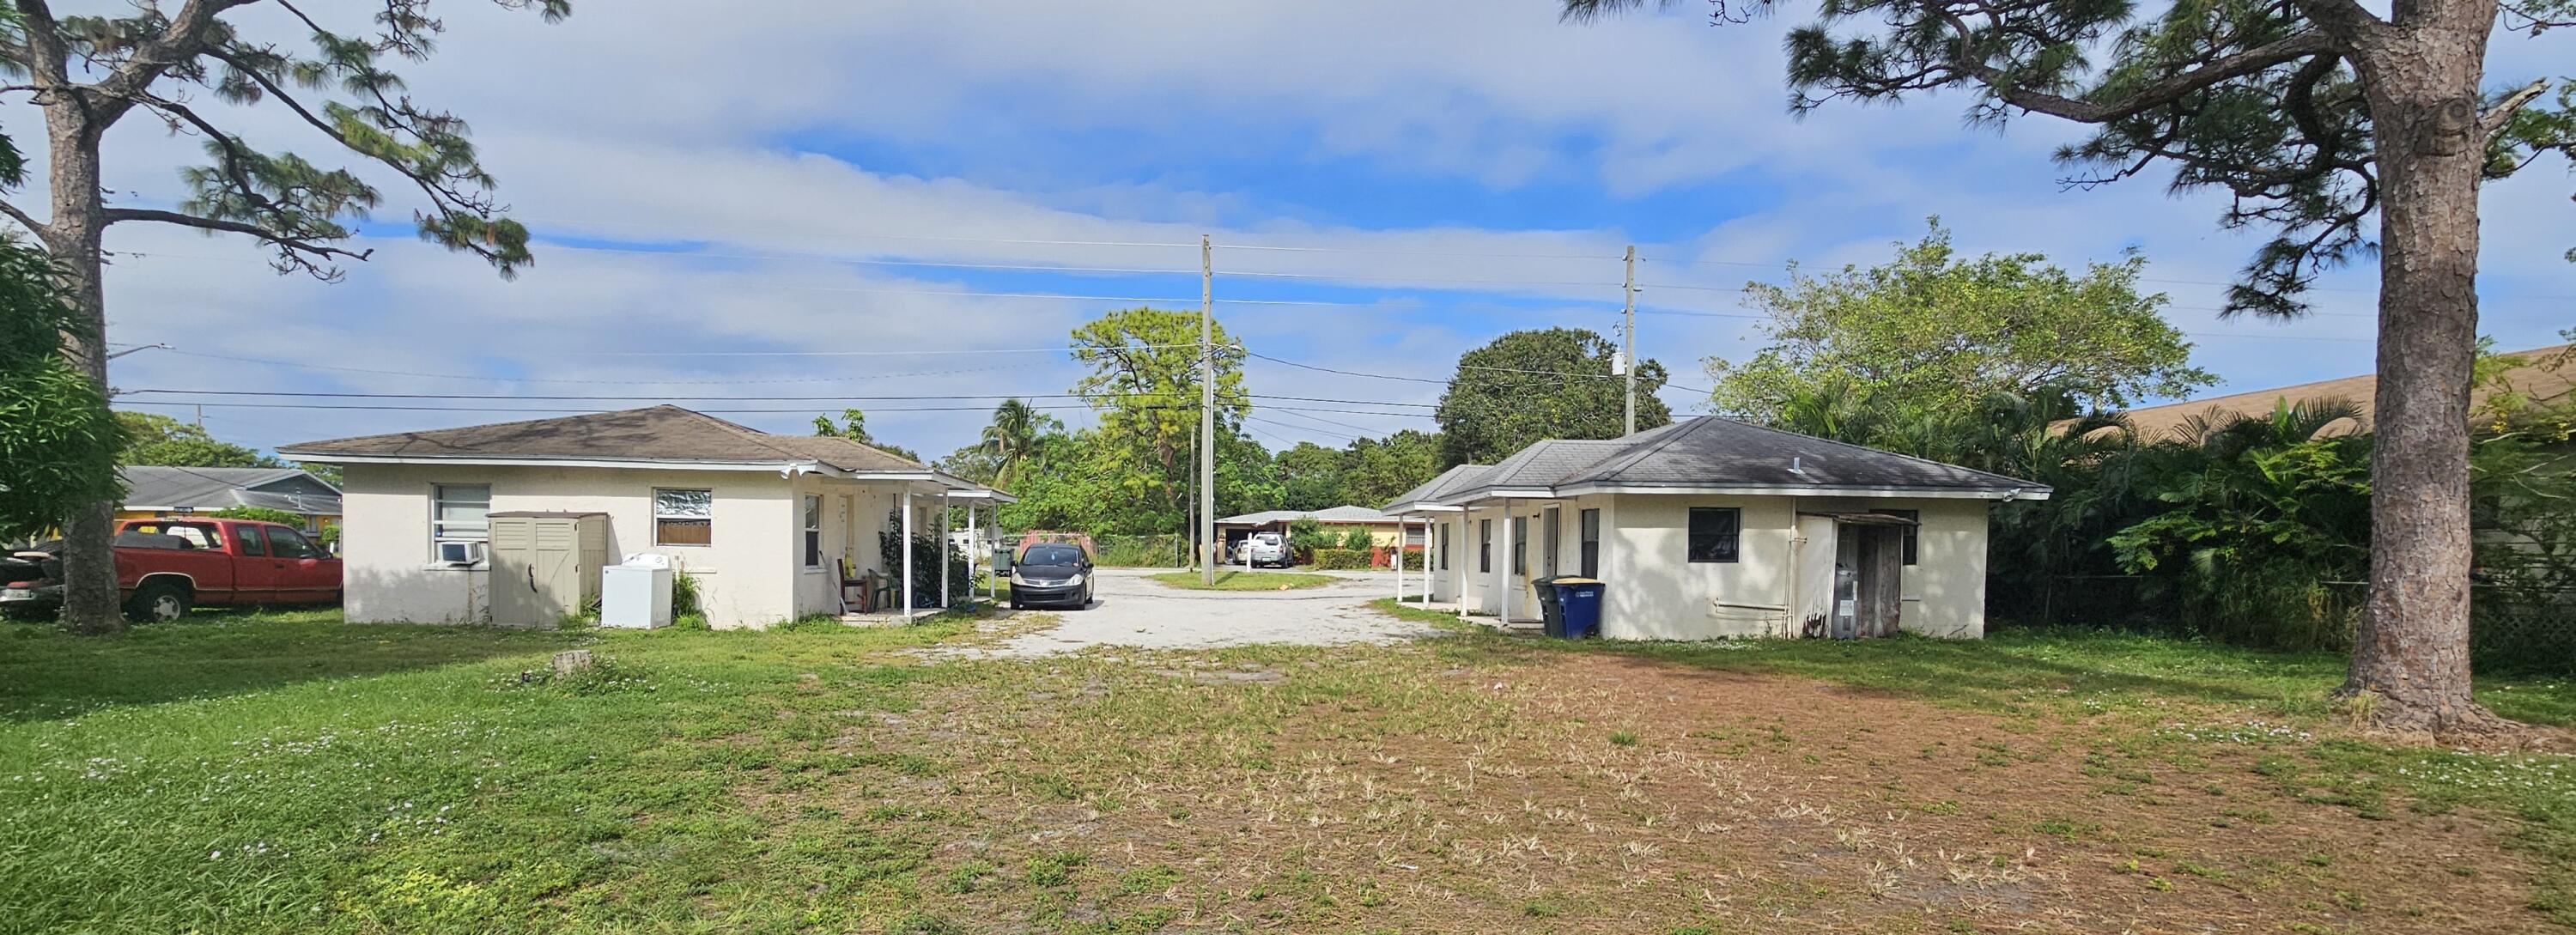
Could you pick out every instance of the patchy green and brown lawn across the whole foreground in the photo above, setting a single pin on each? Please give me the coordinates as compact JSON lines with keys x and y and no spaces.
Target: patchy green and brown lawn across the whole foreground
{"x":292,"y":774}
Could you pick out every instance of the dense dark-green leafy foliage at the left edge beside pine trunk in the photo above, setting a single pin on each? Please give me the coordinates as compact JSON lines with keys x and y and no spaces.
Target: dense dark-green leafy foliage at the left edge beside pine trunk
{"x":58,"y":439}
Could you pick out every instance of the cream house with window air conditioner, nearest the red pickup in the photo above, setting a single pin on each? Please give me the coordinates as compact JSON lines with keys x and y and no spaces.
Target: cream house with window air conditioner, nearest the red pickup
{"x":761,"y":522}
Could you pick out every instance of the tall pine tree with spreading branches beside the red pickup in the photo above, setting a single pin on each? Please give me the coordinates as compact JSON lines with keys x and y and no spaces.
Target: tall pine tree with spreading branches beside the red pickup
{"x":89,"y":73}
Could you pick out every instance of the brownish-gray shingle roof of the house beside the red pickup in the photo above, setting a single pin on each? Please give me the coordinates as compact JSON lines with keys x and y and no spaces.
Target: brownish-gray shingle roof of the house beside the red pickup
{"x":661,"y":434}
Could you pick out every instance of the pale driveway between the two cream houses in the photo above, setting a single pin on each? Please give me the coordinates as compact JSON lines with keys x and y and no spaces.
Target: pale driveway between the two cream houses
{"x":1137,"y":612}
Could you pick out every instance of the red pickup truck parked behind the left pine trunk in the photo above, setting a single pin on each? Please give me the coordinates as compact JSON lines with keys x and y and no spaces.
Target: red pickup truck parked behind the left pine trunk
{"x":164,"y":568}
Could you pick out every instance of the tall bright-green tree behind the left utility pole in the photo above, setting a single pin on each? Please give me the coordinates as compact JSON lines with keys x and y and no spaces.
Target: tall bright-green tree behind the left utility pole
{"x":1145,"y":388}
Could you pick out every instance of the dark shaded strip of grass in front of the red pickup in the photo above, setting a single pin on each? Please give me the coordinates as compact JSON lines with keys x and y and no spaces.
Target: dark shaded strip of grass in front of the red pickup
{"x":48,"y":674}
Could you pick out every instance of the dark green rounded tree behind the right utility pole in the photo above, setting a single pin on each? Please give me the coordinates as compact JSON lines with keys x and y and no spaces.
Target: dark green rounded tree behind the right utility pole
{"x":1542,"y":385}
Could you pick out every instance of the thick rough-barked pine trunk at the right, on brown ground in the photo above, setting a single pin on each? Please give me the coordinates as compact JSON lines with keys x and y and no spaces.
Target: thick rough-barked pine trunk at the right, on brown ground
{"x":2410,"y":658}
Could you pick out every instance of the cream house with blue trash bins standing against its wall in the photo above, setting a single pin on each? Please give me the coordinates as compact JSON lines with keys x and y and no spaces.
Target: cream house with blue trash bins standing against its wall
{"x":1719,"y":529}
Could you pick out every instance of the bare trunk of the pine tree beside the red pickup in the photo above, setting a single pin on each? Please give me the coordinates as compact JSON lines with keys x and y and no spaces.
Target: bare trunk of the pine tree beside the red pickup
{"x":73,"y":238}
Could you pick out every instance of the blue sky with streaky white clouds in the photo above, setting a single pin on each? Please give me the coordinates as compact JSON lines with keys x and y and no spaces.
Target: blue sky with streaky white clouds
{"x":813,"y":200}
